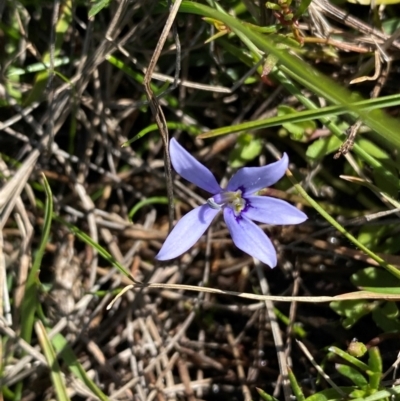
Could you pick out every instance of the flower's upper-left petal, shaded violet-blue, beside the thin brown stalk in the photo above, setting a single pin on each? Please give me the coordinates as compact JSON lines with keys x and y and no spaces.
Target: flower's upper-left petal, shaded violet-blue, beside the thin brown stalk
{"x":191,"y":169}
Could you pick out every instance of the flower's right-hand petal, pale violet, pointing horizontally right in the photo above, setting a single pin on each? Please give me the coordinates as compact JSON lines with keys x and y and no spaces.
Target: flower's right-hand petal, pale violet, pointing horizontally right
{"x":265,"y":209}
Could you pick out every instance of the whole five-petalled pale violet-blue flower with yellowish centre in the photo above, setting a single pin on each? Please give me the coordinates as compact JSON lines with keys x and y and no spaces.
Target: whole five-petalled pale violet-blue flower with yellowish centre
{"x":239,"y":203}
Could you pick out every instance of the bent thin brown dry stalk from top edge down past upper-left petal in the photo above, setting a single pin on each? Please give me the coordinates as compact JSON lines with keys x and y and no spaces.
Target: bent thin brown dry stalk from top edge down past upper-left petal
{"x":156,"y":108}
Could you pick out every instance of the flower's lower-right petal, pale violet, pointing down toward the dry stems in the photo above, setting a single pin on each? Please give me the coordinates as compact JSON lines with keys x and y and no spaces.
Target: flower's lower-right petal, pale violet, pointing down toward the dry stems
{"x":248,"y":237}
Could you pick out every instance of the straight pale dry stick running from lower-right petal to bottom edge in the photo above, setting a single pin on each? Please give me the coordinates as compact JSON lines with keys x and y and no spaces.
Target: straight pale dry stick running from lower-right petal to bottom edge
{"x":276,"y":333}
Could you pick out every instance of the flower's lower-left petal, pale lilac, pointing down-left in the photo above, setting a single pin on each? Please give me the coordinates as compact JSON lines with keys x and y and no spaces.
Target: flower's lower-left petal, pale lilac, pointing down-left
{"x":186,"y":232}
